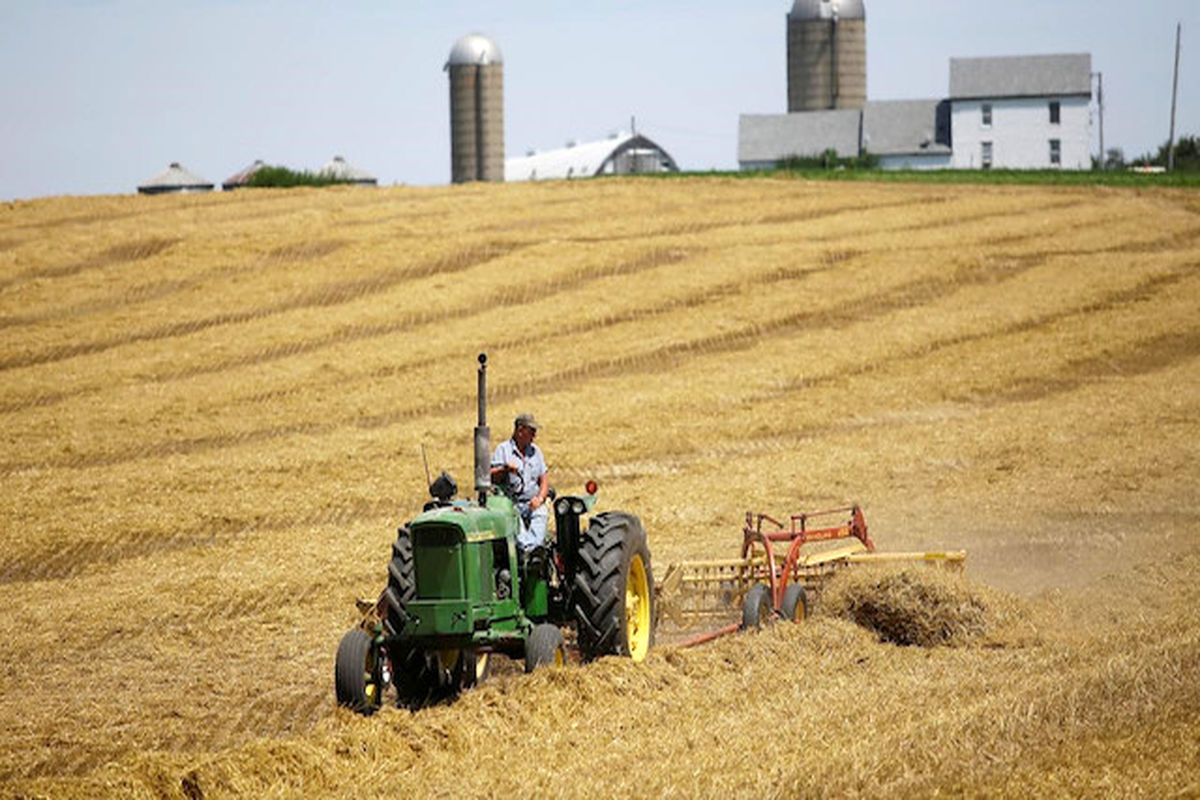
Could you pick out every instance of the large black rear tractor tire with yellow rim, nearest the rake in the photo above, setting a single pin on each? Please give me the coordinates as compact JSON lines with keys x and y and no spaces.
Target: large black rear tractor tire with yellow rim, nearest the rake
{"x":614,"y":590}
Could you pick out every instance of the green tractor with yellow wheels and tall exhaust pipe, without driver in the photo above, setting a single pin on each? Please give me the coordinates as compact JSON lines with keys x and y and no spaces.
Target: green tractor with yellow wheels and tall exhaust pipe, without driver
{"x":460,"y":592}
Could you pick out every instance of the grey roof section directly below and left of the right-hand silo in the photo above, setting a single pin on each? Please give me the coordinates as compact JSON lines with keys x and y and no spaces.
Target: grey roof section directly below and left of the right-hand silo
{"x":772,"y":137}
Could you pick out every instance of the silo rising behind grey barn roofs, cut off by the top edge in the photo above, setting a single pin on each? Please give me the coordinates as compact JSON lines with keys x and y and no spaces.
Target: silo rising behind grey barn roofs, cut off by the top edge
{"x":826,"y":56}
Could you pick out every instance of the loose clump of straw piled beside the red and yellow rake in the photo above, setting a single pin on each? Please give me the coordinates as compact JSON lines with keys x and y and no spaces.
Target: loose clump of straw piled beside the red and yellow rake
{"x":921,"y":605}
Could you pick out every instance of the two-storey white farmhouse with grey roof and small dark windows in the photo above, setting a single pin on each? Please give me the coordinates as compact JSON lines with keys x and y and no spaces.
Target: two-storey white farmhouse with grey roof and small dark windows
{"x":1022,"y":112}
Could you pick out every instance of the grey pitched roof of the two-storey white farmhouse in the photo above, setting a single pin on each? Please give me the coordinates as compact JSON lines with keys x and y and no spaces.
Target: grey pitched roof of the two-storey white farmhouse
{"x":1022,"y":76}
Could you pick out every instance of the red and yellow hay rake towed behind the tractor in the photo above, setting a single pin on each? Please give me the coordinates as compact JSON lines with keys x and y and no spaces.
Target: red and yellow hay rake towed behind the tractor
{"x":783,"y":564}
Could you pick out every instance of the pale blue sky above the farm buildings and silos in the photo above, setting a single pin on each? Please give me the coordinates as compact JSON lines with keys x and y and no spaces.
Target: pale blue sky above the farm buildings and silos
{"x":99,"y":95}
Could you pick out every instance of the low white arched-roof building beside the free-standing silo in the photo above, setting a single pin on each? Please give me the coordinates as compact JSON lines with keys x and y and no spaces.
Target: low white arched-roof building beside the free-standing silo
{"x":622,"y":154}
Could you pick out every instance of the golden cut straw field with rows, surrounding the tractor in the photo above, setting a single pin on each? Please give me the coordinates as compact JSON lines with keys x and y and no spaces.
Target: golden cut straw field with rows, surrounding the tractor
{"x":213,"y":407}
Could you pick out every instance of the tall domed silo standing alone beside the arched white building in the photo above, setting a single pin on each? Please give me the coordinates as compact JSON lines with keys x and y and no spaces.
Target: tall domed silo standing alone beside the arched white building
{"x":477,"y":111}
